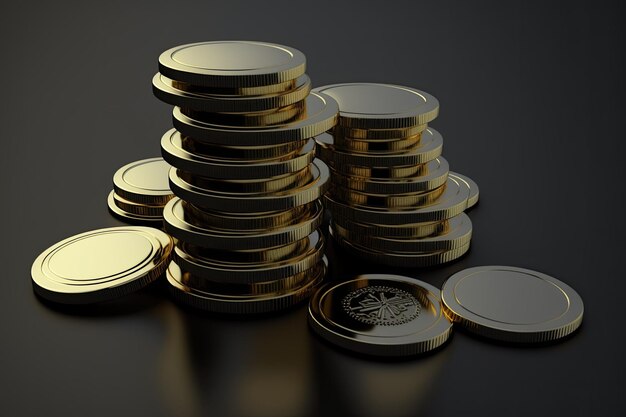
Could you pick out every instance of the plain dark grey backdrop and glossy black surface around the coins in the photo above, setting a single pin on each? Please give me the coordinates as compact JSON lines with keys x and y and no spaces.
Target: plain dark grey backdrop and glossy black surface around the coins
{"x":532,"y":108}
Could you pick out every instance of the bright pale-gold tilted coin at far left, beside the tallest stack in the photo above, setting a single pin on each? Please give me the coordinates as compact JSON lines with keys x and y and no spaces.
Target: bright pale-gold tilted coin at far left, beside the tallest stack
{"x":101,"y":265}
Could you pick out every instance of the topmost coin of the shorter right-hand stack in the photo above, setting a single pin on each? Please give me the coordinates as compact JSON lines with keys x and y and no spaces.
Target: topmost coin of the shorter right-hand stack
{"x":381,"y":106}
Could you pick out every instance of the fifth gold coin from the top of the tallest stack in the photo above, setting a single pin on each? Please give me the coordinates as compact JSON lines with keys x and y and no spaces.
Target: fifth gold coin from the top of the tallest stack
{"x":239,"y":153}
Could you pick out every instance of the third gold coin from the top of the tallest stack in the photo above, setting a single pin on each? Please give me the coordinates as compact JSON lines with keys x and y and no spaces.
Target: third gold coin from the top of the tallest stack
{"x":270,"y":117}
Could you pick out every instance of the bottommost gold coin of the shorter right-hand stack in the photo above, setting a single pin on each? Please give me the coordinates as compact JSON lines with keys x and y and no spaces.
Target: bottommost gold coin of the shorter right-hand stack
{"x":402,"y":259}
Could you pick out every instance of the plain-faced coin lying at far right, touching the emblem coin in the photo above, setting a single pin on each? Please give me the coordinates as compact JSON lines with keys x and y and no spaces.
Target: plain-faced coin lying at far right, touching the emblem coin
{"x":512,"y":304}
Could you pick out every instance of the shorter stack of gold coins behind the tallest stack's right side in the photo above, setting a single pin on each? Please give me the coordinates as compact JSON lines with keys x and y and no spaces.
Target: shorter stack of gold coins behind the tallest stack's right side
{"x":393,"y":200}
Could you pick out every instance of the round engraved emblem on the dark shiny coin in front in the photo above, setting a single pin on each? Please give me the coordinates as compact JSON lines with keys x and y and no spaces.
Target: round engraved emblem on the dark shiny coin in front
{"x":381,"y":305}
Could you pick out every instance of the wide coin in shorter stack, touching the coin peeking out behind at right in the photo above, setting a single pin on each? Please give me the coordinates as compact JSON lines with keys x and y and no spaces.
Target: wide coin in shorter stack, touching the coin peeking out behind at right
{"x":452,"y":202}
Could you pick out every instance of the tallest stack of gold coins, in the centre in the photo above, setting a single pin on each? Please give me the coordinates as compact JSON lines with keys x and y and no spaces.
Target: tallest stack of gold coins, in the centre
{"x":247,"y":210}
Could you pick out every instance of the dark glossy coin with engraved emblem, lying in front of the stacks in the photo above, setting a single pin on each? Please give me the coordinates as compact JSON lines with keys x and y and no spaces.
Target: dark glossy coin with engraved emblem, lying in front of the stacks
{"x":382,"y":315}
